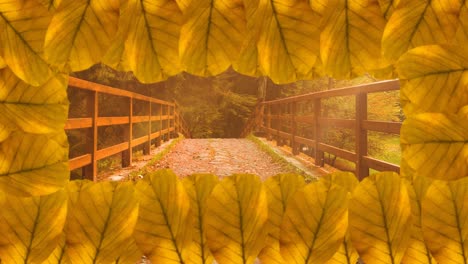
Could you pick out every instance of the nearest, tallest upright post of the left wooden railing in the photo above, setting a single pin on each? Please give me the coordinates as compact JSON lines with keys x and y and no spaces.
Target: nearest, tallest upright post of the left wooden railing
{"x":90,"y":171}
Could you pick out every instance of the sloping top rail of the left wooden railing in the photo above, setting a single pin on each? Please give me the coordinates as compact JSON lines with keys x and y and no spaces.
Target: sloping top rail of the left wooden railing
{"x":90,"y":86}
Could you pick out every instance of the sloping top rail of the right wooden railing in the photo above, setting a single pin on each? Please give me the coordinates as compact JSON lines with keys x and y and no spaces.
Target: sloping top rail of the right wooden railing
{"x":382,"y":86}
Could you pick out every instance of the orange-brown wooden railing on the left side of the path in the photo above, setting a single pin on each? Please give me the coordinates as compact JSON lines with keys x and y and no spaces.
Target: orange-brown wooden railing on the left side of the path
{"x":166,"y":113}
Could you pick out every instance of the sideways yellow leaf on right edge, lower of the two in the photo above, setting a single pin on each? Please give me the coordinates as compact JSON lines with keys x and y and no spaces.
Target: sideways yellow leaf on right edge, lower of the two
{"x":435,"y":145}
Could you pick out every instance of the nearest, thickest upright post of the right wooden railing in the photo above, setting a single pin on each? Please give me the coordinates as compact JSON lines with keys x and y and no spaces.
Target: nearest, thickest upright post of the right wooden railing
{"x":362,"y":171}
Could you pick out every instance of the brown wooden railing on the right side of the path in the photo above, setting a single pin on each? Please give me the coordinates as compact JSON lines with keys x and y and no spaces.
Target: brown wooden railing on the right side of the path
{"x":280,"y":119}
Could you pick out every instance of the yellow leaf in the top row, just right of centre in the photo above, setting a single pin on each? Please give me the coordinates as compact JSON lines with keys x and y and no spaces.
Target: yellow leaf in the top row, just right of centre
{"x":288,"y":42}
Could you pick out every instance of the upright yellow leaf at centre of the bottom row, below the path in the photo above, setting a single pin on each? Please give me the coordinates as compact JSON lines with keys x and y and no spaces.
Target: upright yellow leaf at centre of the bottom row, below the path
{"x":236,"y":214}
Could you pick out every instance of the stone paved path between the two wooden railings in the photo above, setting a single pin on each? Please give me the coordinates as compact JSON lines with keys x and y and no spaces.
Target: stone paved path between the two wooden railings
{"x":221,"y":157}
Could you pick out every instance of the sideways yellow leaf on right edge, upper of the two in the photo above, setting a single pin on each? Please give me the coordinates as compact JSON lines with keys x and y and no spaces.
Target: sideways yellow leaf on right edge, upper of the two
{"x":434,"y":79}
